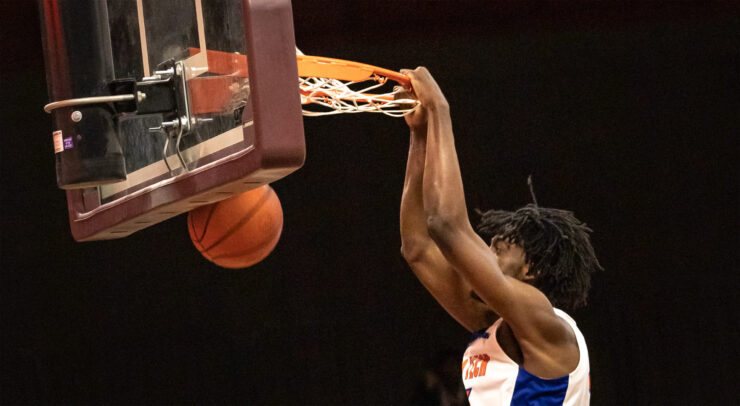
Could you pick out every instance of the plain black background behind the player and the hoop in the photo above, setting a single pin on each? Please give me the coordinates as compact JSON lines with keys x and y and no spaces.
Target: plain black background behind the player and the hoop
{"x":626,"y":113}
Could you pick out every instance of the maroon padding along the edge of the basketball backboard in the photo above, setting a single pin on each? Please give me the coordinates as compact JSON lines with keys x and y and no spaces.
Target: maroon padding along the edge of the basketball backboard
{"x":278,"y":128}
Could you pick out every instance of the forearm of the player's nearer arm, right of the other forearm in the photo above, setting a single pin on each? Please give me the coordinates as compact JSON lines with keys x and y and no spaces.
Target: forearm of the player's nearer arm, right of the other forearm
{"x":444,"y":199}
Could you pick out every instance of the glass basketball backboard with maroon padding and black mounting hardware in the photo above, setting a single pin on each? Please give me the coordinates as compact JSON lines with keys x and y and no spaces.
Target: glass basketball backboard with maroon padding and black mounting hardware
{"x":161,"y":106}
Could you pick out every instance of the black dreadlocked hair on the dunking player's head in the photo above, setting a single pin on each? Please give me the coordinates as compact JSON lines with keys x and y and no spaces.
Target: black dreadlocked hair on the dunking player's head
{"x":556,"y":246}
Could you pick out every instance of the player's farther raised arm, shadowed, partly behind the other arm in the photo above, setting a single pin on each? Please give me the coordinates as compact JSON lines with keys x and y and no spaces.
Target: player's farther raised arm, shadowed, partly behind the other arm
{"x":420,"y":251}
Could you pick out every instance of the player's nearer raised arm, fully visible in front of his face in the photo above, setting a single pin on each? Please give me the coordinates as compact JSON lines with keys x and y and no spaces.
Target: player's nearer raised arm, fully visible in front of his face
{"x":525,"y":309}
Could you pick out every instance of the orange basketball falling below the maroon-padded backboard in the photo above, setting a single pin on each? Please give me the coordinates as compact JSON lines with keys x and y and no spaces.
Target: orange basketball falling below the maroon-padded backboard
{"x":240,"y":231}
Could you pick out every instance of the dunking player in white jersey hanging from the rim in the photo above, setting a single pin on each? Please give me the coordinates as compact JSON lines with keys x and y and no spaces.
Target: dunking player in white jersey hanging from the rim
{"x":525,"y":351}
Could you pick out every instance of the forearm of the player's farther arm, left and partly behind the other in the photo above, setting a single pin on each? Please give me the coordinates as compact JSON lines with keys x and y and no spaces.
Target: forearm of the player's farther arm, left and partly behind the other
{"x":414,"y":233}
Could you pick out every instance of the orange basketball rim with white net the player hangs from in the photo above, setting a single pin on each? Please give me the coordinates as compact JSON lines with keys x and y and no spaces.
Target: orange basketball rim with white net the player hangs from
{"x":337,"y":86}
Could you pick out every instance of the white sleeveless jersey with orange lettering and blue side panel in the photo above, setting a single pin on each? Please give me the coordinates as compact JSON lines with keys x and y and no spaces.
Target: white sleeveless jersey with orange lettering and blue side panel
{"x":492,"y":378}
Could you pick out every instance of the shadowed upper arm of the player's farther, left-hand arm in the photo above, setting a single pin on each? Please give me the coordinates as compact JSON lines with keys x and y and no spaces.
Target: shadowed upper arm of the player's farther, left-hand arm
{"x":450,"y":290}
